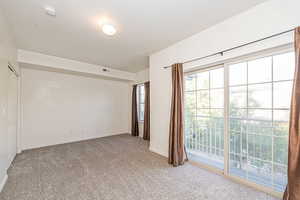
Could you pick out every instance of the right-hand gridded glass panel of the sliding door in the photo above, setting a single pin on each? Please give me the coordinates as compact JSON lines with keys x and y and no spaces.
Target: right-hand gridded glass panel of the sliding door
{"x":259,"y":103}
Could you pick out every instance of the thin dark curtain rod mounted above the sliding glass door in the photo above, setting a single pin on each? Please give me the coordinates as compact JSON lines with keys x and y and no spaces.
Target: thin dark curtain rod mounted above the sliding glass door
{"x":221,"y":53}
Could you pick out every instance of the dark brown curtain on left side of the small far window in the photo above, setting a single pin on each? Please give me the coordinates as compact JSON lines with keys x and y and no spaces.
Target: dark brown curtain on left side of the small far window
{"x":134,"y":114}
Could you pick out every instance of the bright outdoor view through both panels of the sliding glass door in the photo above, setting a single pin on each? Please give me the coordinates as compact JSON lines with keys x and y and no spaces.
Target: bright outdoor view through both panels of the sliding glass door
{"x":248,"y":103}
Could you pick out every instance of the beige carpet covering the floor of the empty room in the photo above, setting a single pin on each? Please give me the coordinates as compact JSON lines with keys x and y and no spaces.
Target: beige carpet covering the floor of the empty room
{"x":113,"y":168}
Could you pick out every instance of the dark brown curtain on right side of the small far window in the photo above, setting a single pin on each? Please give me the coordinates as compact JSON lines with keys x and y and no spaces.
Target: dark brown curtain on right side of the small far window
{"x":146,"y":134}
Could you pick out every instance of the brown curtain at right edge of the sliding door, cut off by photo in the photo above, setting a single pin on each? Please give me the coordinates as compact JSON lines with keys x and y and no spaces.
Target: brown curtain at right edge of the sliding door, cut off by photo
{"x":293,"y":188}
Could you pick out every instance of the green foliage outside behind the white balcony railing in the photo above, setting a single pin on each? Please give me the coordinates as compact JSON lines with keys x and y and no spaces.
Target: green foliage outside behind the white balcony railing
{"x":252,"y":137}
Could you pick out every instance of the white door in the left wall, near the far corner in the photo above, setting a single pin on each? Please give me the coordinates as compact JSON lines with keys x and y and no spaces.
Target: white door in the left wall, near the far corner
{"x":12,"y":115}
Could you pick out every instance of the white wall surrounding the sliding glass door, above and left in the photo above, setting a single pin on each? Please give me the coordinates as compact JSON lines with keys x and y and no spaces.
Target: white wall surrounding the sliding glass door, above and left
{"x":266,"y":19}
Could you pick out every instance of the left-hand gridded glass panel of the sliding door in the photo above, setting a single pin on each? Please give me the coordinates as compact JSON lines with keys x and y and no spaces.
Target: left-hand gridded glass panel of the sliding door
{"x":204,"y":114}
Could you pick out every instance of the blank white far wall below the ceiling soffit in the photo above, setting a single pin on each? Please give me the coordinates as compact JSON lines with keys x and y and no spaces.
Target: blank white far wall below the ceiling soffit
{"x":60,"y":107}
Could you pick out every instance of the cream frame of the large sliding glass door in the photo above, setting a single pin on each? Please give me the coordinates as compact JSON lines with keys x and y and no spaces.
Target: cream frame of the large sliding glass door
{"x":226,"y":64}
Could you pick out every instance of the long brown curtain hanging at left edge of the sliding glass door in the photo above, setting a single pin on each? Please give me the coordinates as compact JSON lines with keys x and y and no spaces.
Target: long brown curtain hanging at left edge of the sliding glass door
{"x":176,"y":138}
